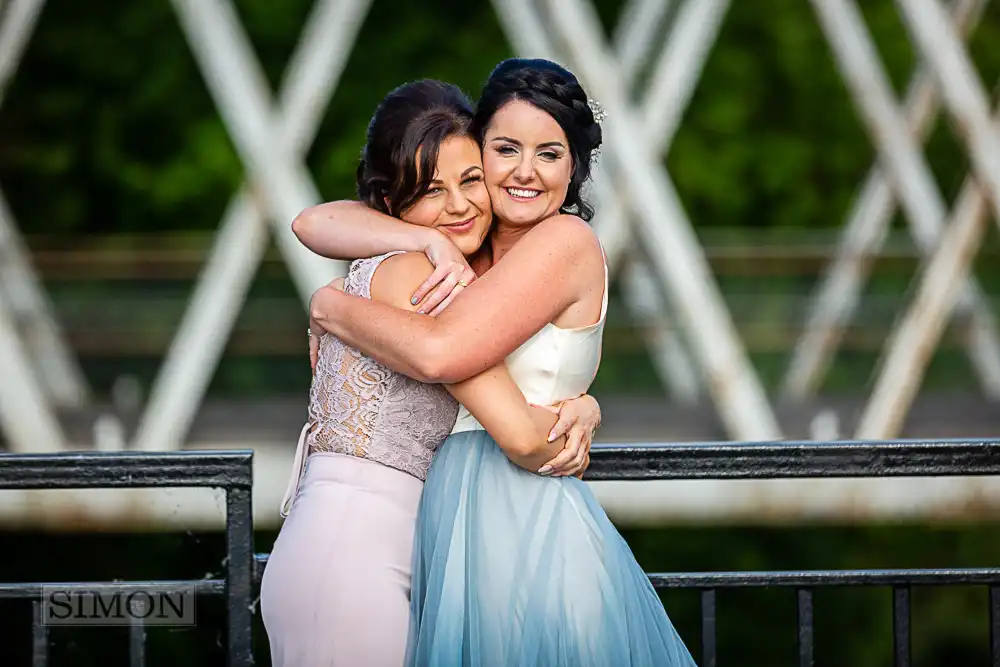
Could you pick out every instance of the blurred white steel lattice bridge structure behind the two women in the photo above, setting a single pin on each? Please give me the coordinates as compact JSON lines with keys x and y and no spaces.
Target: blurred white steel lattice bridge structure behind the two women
{"x":640,"y":218}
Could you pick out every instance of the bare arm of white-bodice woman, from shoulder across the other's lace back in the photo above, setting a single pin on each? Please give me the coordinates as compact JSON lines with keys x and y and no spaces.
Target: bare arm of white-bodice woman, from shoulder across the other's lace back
{"x":543,"y":274}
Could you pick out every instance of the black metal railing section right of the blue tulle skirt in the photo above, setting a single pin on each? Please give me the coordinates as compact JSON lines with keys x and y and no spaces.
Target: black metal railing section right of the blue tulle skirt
{"x":788,"y":460}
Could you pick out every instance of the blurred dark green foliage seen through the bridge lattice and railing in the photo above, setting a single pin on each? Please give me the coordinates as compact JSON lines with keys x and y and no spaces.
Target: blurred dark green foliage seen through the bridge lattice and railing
{"x":108,"y":128}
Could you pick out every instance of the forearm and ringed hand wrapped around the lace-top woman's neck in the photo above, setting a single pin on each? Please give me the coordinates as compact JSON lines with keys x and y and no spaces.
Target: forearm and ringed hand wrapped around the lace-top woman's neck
{"x":349,"y":229}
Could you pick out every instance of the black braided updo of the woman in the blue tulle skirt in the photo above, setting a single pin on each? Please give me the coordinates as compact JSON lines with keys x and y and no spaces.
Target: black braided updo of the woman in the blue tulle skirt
{"x":553,"y":89}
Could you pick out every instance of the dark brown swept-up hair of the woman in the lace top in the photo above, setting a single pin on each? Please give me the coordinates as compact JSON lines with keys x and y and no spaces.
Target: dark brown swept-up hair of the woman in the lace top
{"x":403,"y":140}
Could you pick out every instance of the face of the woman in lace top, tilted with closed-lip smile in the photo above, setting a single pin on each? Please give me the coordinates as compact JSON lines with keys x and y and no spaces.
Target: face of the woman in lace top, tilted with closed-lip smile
{"x":457,"y":202}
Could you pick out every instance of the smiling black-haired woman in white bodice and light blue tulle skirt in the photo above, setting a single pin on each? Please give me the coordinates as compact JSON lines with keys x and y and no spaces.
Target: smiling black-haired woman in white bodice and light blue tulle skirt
{"x":511,"y":568}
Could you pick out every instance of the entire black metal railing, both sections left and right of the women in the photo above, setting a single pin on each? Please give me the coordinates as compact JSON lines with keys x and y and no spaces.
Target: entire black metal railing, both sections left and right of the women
{"x":232,"y":471}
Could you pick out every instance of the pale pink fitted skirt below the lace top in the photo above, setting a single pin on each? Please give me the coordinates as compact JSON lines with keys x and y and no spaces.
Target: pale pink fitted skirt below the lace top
{"x":336,"y":590}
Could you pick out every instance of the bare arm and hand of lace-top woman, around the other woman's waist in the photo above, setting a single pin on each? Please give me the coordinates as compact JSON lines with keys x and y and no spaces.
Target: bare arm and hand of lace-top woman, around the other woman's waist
{"x":521,"y":430}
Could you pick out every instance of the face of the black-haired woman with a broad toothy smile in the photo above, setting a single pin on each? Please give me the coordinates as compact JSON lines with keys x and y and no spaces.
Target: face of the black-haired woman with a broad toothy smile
{"x":527,"y":163}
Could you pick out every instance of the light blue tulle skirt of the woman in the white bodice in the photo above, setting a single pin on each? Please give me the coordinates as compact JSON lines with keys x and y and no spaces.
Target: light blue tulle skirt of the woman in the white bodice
{"x":512,"y":569}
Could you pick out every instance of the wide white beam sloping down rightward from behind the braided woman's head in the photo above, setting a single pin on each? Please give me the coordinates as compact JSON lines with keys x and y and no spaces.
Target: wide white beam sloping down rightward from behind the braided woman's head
{"x":679,"y":262}
